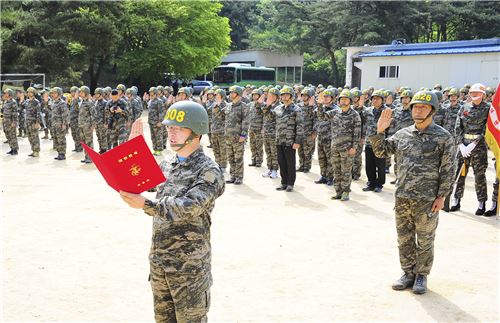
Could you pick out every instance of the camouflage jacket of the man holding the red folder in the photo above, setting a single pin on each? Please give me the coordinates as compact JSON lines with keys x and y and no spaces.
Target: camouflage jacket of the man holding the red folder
{"x":181,"y":215}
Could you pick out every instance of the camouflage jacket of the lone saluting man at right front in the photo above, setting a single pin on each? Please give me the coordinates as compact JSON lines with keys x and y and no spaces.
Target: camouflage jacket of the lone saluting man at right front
{"x":426,"y":161}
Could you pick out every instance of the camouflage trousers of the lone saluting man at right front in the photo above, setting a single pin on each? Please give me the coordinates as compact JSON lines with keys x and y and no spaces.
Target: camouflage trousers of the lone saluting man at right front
{"x":416,"y":228}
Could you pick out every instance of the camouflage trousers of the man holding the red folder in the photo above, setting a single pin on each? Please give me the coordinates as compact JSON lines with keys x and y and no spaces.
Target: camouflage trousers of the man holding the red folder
{"x":178,"y":298}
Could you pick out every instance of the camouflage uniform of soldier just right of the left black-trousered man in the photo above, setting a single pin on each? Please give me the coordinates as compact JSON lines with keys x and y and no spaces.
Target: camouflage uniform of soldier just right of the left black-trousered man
{"x":306,"y":150}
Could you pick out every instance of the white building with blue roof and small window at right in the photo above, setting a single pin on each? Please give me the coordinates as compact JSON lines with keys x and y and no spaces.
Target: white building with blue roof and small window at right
{"x":452,"y":63}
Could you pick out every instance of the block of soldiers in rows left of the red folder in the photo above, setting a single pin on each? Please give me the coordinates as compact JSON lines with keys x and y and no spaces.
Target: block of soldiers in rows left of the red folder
{"x":109,"y":112}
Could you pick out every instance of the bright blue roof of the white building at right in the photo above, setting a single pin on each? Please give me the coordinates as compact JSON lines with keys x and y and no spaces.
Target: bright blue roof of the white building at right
{"x":456,"y":47}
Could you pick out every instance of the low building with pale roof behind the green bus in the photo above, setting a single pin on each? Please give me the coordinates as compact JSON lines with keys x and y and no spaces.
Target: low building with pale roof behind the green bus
{"x":288,"y":66}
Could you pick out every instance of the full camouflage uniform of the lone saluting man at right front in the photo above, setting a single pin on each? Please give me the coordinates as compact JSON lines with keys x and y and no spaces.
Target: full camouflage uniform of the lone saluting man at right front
{"x":425,"y":172}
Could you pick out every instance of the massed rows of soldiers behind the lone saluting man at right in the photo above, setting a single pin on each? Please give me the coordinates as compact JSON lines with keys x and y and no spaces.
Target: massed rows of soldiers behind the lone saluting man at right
{"x":327,"y":122}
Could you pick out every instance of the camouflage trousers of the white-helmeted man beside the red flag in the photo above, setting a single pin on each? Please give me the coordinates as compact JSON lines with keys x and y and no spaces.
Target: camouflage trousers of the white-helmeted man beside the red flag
{"x":479,"y":162}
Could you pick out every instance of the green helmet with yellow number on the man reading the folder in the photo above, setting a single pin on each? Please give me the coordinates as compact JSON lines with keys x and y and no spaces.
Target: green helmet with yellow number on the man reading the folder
{"x":187,"y":114}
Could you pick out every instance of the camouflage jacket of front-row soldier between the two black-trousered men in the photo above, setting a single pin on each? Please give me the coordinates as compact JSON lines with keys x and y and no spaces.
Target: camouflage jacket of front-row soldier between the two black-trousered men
{"x":345,"y":127}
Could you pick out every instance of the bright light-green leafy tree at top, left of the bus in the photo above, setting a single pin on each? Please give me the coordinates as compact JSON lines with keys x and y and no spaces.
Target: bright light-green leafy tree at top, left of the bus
{"x":176,"y":37}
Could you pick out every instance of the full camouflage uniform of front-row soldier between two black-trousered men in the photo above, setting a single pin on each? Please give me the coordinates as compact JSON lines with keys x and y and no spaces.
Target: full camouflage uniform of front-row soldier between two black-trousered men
{"x":345,"y":134}
